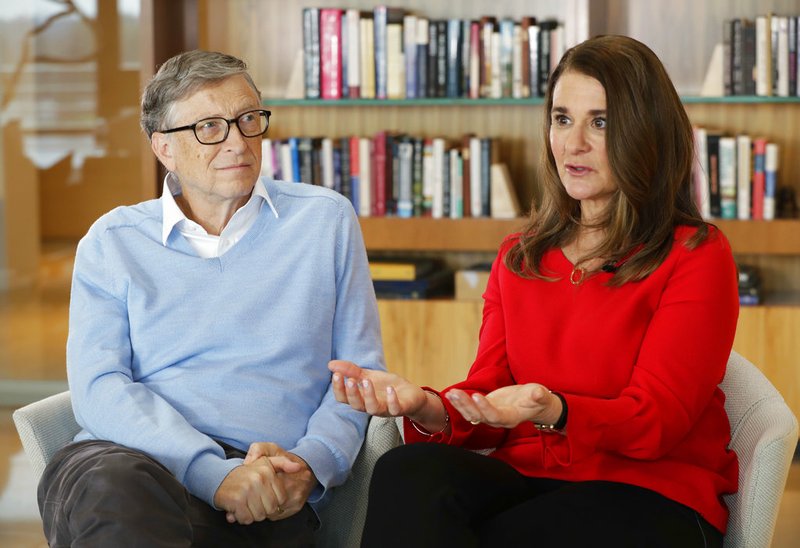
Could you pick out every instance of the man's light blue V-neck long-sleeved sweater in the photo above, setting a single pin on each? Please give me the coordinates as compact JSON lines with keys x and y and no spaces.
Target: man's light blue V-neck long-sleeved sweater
{"x":168,"y":352}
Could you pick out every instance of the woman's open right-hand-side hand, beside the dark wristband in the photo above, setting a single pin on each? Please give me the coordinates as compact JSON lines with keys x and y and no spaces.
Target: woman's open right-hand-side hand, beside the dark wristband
{"x":508,"y":406}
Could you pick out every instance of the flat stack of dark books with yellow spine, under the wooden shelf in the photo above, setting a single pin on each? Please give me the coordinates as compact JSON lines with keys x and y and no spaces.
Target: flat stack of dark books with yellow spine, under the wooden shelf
{"x":410,"y":278}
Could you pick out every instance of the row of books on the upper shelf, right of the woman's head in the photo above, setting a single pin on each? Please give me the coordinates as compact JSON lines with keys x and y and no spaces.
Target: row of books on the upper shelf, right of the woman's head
{"x":760,"y":57}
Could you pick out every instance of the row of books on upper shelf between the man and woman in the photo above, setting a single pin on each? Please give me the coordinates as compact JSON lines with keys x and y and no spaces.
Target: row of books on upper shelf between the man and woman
{"x":390,"y":53}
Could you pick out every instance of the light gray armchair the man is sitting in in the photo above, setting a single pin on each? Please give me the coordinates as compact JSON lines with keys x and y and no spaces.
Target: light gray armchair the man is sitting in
{"x":47,"y":425}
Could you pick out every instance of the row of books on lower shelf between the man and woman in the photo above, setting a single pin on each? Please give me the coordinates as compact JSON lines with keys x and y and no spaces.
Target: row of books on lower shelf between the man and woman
{"x":395,"y":174}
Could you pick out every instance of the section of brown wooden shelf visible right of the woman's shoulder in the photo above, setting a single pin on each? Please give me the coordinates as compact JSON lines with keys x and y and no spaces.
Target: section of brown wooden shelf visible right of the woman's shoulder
{"x":778,"y":237}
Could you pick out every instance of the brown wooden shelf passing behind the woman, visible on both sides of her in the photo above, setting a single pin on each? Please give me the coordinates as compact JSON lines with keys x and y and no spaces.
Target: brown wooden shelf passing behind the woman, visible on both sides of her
{"x":779,"y":237}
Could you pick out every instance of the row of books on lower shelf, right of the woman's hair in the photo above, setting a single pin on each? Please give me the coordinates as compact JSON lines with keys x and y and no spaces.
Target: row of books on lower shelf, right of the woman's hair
{"x":735,"y":176}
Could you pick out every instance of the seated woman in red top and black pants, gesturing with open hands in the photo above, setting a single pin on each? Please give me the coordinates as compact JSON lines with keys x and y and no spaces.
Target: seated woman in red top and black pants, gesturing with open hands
{"x":607,"y":325}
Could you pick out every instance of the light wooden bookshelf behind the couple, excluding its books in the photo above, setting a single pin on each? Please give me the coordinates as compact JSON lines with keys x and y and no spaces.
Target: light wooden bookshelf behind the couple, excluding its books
{"x":433,"y":342}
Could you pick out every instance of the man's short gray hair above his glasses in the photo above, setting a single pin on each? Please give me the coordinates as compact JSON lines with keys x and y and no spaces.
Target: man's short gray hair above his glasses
{"x":182,"y":75}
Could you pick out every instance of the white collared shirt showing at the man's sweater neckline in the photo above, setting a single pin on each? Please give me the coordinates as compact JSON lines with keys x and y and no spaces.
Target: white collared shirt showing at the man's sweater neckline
{"x":209,"y":245}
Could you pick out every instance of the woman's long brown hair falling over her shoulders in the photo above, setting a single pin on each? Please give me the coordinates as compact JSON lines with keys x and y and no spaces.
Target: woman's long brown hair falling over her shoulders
{"x":650,"y":153}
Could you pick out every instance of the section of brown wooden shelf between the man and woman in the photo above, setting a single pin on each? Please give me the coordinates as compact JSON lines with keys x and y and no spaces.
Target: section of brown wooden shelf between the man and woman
{"x":392,"y":233}
